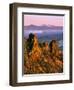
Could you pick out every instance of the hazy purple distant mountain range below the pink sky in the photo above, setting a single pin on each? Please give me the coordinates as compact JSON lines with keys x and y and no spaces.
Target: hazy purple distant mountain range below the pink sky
{"x":42,"y":27}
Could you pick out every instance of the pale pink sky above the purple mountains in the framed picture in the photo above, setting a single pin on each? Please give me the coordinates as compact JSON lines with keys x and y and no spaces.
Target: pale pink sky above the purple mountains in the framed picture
{"x":43,"y":20}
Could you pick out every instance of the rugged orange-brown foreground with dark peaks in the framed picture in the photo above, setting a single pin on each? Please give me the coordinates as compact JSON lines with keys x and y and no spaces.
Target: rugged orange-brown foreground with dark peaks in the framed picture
{"x":43,"y":58}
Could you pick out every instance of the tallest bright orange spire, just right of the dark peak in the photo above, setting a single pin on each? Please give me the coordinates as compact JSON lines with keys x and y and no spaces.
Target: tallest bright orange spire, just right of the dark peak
{"x":35,"y":51}
